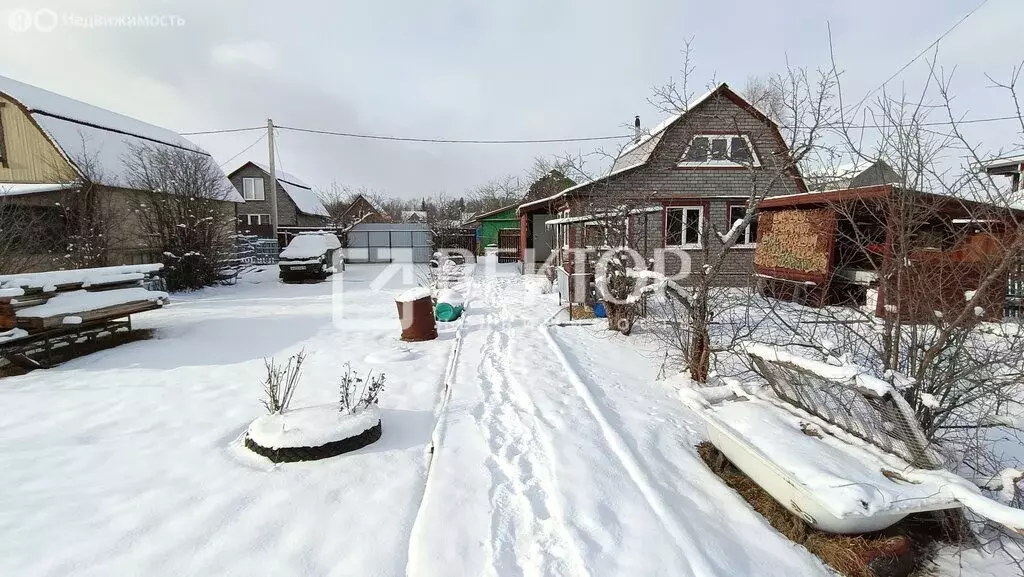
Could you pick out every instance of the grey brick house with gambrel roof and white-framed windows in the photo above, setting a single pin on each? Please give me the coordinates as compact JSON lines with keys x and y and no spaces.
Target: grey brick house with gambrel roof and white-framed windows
{"x":688,"y":178}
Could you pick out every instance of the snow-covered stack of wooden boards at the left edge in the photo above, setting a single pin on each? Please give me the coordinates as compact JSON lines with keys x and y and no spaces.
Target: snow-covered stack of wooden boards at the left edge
{"x":34,"y":303}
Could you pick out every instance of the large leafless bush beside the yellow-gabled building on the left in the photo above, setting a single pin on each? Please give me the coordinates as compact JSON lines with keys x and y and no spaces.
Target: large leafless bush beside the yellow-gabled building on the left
{"x":187,"y":217}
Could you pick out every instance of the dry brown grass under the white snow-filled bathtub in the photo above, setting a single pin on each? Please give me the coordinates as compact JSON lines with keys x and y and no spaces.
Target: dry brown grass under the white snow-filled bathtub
{"x":898,"y":552}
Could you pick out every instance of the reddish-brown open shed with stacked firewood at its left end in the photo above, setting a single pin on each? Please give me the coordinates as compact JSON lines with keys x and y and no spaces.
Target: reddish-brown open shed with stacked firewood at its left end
{"x":843,"y":248}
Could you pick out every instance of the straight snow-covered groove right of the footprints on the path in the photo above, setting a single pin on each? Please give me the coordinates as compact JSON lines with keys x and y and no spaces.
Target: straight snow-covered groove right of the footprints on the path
{"x":682,"y":535}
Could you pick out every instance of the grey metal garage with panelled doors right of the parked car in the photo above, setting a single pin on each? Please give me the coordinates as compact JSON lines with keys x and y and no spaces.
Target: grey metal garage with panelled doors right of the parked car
{"x":405,"y":242}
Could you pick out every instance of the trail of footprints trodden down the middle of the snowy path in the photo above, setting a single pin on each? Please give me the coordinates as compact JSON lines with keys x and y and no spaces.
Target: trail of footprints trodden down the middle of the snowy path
{"x":529,"y":533}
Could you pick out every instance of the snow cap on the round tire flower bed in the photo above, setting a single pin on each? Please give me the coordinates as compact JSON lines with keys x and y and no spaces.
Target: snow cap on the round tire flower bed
{"x":312,"y":427}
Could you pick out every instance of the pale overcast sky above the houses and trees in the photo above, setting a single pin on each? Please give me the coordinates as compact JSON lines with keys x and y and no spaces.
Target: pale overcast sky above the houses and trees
{"x":462,"y":69}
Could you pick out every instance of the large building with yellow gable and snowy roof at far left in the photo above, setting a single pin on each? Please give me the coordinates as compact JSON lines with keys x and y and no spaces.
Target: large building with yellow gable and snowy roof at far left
{"x":53,"y":147}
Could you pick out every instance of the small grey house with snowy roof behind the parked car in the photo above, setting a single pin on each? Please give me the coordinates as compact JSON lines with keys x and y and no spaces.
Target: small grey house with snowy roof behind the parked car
{"x":298,"y":205}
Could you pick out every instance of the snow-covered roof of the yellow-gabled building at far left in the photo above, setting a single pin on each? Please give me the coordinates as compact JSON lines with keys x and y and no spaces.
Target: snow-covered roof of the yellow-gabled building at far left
{"x":78,"y":130}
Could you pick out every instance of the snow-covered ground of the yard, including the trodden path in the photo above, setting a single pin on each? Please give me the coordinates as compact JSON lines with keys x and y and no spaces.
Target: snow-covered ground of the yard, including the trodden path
{"x":557,"y":451}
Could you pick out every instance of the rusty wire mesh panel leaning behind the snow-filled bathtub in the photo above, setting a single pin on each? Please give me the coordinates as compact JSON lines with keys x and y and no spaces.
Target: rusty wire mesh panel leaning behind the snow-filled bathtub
{"x":883,"y":421}
